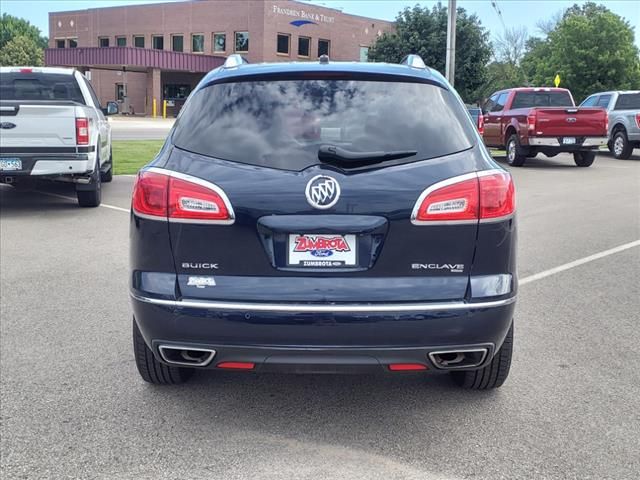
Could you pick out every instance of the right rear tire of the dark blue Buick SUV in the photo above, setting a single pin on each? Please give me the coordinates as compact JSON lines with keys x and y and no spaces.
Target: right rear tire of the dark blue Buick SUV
{"x":491,"y":376}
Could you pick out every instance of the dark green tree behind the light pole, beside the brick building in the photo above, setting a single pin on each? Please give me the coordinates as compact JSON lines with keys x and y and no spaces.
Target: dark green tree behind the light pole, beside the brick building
{"x":424,"y":32}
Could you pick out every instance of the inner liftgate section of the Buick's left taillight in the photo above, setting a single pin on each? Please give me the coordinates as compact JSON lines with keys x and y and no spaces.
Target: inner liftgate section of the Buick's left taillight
{"x":188,"y":200}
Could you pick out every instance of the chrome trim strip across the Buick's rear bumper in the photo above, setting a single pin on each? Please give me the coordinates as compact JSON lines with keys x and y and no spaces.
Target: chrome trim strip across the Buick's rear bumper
{"x":324,"y":308}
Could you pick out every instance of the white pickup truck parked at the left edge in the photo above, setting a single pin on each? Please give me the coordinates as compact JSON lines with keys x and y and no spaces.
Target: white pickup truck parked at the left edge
{"x":53,"y":127}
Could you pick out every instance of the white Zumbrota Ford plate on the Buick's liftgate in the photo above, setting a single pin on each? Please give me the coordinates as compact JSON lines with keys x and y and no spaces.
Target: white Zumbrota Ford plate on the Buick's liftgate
{"x":321,"y":251}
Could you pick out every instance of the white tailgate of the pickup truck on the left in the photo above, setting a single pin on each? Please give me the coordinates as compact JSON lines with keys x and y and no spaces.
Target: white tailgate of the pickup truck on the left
{"x":38,"y":125}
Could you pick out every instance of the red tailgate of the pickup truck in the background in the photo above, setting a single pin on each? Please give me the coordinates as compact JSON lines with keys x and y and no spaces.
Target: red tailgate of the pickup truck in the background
{"x":570,"y":121}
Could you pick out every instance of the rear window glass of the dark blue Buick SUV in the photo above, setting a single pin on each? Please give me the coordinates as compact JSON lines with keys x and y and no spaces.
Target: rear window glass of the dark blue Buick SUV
{"x":282,"y":124}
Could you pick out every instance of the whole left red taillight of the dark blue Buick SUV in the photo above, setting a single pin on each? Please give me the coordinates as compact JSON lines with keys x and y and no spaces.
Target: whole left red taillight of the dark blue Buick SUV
{"x":166,"y":195}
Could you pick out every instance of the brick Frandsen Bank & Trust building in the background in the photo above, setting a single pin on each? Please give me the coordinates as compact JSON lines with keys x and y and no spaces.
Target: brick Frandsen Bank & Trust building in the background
{"x":138,"y":53}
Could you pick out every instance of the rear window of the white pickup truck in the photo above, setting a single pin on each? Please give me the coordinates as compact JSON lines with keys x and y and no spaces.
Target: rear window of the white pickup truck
{"x":39,"y":86}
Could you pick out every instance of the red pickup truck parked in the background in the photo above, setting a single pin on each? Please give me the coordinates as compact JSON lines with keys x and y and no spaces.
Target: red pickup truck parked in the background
{"x":528,"y":121}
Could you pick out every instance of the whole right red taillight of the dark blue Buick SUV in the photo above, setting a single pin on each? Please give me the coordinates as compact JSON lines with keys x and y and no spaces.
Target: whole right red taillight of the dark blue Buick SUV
{"x":482,"y":196}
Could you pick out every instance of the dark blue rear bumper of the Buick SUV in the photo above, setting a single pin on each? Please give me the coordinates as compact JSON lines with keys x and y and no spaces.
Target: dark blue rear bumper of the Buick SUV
{"x":324,"y":338}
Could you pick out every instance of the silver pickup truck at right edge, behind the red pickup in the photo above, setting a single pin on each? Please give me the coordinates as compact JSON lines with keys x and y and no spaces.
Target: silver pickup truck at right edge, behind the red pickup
{"x":623,"y":108}
